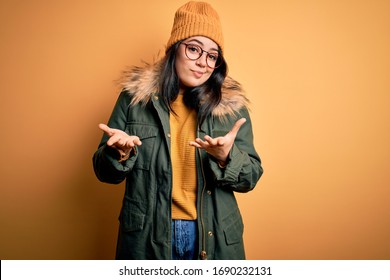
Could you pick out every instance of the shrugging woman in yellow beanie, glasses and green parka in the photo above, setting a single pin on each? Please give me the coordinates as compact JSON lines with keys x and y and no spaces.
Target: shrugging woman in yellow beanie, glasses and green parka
{"x":181,"y":136}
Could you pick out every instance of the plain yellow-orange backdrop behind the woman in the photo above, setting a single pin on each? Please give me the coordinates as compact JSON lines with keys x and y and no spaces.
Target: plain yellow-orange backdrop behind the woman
{"x":318,"y":77}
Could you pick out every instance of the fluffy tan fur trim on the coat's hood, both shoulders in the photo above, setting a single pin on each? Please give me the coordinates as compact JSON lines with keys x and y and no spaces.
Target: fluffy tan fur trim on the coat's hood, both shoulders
{"x":143,"y":82}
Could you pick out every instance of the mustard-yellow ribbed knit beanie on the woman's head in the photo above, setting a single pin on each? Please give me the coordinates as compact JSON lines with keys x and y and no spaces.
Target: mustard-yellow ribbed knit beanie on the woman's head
{"x":196,"y":19}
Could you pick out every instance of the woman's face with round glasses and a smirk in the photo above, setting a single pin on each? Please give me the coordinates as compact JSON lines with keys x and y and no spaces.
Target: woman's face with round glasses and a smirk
{"x":195,"y":72}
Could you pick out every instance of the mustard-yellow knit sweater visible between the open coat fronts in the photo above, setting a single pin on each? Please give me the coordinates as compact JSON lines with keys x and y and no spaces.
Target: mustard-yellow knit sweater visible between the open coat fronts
{"x":183,"y":130}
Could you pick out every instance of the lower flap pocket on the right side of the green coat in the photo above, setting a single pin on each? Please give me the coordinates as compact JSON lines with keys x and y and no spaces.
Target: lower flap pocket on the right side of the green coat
{"x":233,"y":228}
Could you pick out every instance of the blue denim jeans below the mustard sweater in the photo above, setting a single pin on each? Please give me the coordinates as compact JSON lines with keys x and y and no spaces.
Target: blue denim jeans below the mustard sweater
{"x":184,"y":240}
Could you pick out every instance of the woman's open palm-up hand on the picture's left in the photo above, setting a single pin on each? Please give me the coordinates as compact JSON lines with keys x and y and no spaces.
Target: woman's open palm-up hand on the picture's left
{"x":120,"y":141}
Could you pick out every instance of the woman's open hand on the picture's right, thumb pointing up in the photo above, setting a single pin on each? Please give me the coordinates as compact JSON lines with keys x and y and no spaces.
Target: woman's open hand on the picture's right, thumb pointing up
{"x":219,"y":147}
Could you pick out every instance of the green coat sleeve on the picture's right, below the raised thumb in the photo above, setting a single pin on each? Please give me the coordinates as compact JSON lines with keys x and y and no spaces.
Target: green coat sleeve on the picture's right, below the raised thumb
{"x":244,"y":167}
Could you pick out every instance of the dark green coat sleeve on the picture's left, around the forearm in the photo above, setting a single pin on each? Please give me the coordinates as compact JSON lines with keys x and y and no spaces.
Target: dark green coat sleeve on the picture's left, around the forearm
{"x":105,"y":160}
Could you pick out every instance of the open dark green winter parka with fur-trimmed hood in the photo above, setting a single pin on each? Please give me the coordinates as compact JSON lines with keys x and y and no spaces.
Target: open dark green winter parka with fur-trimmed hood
{"x":145,"y":218}
